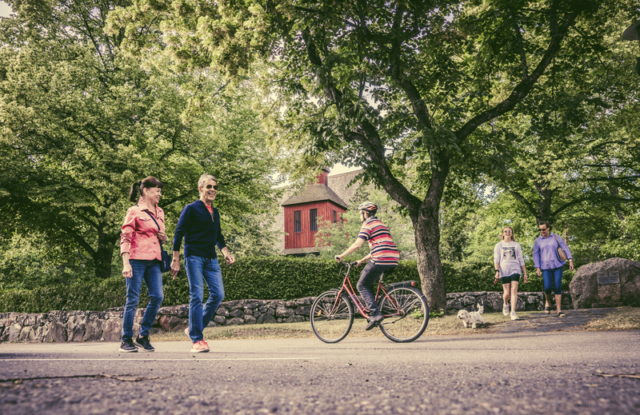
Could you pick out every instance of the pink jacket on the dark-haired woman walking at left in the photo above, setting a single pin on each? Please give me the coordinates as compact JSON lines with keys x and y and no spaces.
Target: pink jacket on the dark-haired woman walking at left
{"x":139,"y":236}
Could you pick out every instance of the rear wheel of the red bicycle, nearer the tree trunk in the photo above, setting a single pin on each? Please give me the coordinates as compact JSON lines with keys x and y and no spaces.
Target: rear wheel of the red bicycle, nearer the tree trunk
{"x":406,"y":314}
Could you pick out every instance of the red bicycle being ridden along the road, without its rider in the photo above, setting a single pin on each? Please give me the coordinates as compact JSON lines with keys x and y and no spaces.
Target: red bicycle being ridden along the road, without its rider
{"x":404,"y":307}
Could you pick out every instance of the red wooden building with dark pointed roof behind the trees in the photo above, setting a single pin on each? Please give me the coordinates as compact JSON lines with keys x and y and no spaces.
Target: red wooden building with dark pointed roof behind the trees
{"x":303,"y":211}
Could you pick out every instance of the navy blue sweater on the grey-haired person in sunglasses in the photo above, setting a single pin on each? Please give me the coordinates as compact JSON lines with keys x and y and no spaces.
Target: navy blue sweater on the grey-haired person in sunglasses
{"x":201,"y":234}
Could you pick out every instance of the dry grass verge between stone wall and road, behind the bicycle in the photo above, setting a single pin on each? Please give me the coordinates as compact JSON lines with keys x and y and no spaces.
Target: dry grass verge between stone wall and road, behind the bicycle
{"x":441,"y":326}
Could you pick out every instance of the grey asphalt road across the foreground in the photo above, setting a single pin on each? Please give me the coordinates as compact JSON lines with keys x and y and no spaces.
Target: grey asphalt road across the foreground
{"x":550,"y":373}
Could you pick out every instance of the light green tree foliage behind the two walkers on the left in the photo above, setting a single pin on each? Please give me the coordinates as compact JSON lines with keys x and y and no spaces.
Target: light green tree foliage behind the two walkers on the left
{"x":80,"y":122}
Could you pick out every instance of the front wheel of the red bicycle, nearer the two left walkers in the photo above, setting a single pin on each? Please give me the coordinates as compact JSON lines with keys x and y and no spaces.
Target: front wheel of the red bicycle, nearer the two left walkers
{"x":331,"y":317}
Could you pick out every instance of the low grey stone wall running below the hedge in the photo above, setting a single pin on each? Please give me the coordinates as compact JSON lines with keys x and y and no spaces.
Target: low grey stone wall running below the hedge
{"x":77,"y":326}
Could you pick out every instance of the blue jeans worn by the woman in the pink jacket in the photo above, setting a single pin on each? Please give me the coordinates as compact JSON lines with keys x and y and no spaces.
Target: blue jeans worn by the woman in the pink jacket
{"x":149,"y":272}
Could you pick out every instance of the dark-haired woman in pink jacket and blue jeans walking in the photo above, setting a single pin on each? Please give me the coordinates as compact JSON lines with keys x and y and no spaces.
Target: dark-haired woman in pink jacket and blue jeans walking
{"x":142,"y":232}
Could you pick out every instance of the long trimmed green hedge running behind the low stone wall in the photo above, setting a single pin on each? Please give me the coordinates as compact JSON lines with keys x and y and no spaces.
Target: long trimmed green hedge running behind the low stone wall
{"x":261,"y":278}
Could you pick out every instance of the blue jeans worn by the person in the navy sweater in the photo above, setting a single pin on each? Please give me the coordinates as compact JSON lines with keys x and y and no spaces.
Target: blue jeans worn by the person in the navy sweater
{"x":201,"y":269}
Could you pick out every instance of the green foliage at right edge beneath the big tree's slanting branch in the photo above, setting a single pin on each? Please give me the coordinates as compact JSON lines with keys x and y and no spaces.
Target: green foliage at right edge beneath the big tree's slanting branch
{"x":571,"y":145}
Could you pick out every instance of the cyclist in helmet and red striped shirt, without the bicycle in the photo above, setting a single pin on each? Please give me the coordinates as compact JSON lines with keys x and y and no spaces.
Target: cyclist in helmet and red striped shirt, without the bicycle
{"x":384,"y":256}
